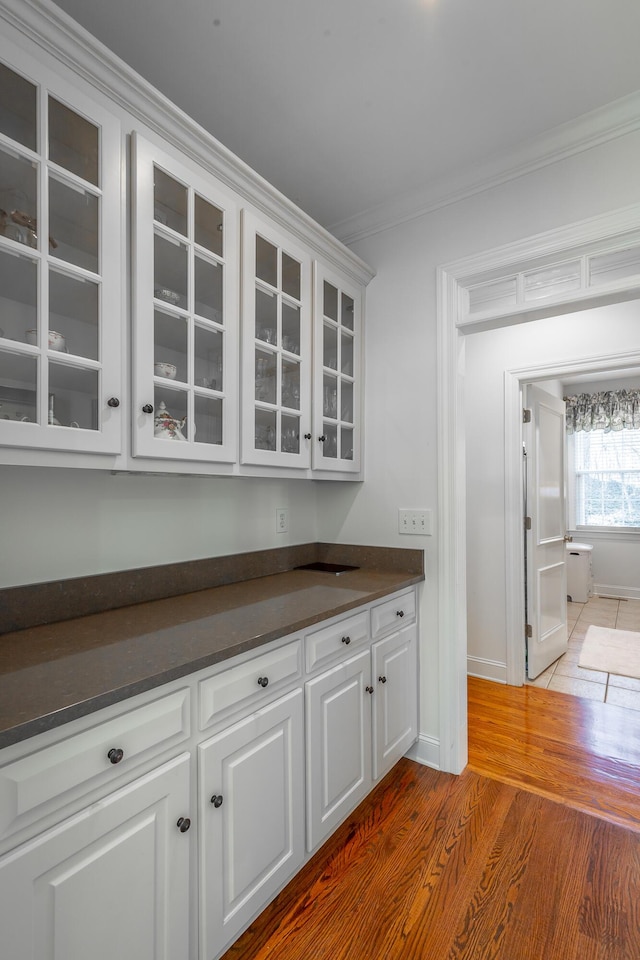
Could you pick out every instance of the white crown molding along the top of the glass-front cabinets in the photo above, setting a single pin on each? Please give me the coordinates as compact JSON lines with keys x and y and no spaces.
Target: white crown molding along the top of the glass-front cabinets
{"x":70,"y":44}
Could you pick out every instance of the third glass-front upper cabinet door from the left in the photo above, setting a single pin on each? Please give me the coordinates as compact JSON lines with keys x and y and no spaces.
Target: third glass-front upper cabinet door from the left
{"x":276,"y":342}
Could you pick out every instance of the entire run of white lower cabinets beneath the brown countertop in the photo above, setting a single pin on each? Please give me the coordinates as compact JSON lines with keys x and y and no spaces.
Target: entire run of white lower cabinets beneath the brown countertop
{"x":98,"y":855}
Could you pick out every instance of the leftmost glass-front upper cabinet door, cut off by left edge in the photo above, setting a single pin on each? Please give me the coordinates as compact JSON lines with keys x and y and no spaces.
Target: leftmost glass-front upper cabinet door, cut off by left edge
{"x":60,"y":268}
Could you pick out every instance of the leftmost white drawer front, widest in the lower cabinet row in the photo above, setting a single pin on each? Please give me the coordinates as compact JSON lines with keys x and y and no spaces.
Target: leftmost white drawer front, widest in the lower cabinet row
{"x":54,"y":776}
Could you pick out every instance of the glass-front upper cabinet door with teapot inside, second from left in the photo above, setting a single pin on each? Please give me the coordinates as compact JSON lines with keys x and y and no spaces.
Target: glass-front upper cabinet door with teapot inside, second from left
{"x":185,"y":311}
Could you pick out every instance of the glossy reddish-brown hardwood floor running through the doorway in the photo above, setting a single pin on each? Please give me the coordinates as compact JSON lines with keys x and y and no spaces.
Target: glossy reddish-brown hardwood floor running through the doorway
{"x":502,"y":862}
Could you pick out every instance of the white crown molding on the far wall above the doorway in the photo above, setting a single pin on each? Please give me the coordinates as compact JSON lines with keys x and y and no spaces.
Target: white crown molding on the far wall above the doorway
{"x":615,"y":120}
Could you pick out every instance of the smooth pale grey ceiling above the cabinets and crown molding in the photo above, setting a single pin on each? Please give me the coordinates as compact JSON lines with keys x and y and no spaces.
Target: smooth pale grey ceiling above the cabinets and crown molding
{"x":347,"y":105}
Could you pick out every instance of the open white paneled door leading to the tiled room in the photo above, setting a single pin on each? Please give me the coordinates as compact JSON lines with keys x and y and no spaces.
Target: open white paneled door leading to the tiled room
{"x":546,"y":574}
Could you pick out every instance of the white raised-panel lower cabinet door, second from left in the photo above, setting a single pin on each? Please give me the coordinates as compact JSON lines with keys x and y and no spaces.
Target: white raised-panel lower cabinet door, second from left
{"x":251,"y":808}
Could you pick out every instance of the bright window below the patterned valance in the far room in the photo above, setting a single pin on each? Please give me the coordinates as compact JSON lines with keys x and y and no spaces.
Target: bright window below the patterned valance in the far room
{"x":606,"y":469}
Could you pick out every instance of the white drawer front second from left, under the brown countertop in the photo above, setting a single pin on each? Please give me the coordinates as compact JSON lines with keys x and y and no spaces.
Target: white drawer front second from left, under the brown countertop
{"x":248,"y":682}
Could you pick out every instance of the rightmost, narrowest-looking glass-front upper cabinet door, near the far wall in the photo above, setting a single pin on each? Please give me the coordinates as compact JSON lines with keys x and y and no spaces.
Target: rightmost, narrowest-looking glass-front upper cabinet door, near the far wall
{"x":337,"y":384}
